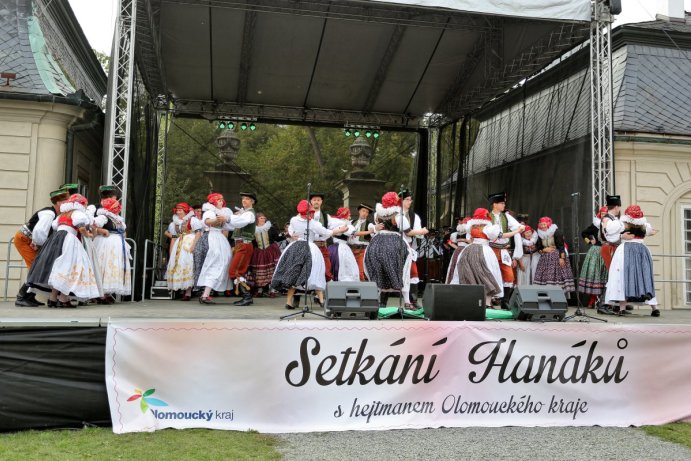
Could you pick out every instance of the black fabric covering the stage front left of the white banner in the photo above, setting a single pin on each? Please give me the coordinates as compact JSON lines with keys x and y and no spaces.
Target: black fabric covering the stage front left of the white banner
{"x":52,"y":377}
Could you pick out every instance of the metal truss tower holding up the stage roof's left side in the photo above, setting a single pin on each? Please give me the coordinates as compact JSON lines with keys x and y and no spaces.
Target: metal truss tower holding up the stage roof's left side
{"x":120,"y":86}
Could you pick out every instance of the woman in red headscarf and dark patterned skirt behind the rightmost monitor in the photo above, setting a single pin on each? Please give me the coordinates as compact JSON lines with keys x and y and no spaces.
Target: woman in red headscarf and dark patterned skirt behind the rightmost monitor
{"x":554,"y":267}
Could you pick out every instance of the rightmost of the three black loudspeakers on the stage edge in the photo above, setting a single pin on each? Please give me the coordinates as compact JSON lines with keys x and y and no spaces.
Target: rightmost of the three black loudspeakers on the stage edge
{"x":538,"y":303}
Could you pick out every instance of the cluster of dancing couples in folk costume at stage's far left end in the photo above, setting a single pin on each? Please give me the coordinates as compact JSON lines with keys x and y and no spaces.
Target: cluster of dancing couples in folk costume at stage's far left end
{"x":75,"y":251}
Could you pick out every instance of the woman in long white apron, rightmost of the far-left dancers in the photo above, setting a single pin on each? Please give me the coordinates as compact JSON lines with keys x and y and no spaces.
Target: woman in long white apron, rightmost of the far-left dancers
{"x":112,"y":250}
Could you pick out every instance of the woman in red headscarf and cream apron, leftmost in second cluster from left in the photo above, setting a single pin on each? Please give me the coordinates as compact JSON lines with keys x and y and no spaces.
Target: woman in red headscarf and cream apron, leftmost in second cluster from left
{"x":180,"y":271}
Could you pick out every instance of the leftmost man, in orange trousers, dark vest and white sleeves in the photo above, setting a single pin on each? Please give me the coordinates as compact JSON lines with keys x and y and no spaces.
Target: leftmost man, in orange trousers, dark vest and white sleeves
{"x":33,"y":235}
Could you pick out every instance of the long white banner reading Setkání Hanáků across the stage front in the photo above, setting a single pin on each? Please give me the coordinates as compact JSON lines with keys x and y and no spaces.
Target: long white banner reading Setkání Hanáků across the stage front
{"x":304,"y":376}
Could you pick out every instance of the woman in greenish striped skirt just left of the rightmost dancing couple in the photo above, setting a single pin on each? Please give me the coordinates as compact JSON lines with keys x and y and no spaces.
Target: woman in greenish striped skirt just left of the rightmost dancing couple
{"x":593,"y":277}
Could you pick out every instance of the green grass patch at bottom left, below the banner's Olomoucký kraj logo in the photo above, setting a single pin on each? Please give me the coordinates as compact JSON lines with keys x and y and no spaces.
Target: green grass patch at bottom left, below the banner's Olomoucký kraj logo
{"x":102,"y":444}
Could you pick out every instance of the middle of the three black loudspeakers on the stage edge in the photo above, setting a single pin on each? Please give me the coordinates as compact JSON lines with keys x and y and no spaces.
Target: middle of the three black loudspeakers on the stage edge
{"x":454,"y":302}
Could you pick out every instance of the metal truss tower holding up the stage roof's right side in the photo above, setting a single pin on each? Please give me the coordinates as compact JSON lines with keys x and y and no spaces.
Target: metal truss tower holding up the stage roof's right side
{"x":601,"y":103}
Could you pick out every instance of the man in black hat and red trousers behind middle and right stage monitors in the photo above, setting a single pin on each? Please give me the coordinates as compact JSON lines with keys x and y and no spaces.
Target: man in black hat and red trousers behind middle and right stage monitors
{"x":502,"y":245}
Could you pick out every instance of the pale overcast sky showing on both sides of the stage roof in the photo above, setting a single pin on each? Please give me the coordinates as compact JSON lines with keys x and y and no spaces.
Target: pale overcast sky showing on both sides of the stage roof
{"x":97,"y":17}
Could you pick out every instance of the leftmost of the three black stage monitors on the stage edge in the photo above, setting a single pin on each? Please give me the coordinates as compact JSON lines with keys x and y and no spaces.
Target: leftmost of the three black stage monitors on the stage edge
{"x":352,"y":300}
